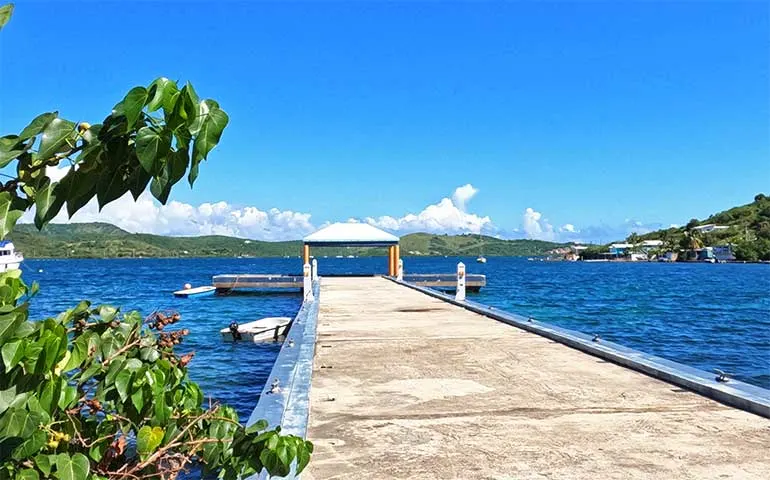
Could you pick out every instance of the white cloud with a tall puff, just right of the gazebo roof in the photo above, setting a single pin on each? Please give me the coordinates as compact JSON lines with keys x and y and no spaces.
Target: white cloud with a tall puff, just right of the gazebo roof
{"x":446,"y":216}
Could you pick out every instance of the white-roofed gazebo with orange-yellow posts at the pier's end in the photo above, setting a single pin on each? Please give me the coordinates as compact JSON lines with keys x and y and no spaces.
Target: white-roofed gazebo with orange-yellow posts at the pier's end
{"x":353,"y":235}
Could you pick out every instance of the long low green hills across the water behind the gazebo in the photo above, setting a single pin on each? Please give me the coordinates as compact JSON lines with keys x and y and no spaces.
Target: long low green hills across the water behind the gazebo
{"x":102,"y":240}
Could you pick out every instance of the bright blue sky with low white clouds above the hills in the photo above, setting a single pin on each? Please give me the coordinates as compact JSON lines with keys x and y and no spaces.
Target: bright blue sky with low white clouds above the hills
{"x":595,"y":115}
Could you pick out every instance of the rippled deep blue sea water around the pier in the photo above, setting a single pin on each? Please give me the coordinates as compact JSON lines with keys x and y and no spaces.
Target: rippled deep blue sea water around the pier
{"x":703,"y":315}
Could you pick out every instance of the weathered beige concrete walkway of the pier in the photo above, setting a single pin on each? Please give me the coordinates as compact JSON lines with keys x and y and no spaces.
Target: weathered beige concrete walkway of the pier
{"x":408,"y":386}
